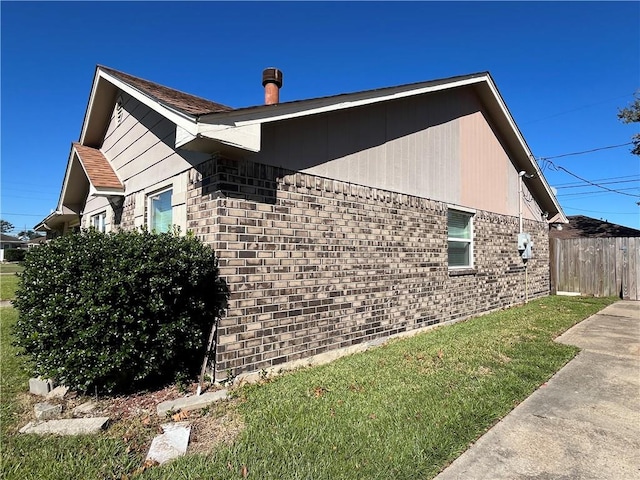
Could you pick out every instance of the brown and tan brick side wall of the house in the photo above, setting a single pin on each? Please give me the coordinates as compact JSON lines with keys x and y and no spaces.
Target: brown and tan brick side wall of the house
{"x":315,"y":264}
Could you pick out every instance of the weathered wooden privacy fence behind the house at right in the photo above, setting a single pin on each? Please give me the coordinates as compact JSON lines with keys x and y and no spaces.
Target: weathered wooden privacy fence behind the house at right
{"x":596,"y":266}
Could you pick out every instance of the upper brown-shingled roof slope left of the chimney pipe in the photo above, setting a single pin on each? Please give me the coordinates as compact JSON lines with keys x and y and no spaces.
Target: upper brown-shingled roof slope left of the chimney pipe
{"x":184,"y":102}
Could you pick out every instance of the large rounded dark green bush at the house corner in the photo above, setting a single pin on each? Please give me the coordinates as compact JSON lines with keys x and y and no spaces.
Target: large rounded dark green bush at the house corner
{"x":118,"y":311}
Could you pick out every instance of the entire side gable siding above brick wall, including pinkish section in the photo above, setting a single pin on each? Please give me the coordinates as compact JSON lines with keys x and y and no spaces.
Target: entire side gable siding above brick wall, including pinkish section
{"x":439,"y":146}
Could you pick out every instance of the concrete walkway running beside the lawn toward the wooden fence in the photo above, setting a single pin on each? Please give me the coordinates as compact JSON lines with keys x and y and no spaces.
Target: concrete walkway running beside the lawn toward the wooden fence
{"x":583,"y":424}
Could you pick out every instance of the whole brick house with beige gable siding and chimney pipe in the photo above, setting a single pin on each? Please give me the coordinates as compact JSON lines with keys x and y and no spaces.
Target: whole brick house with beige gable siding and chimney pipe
{"x":337,"y":220}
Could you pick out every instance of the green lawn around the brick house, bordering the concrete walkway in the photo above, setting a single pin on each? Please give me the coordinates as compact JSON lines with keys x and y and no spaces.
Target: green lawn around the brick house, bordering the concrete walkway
{"x":404,"y":410}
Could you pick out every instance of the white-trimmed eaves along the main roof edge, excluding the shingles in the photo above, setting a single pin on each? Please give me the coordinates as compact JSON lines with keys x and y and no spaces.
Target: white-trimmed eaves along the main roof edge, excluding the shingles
{"x":240,"y":130}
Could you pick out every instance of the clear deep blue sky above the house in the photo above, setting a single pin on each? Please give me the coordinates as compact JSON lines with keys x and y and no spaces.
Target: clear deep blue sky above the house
{"x":564,"y":70}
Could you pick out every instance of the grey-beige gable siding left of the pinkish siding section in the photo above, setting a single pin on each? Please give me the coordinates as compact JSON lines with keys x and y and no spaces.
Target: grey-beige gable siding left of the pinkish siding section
{"x":409,"y":145}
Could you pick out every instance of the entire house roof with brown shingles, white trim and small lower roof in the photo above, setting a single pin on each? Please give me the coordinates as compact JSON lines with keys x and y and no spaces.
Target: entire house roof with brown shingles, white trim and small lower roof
{"x":202,"y":124}
